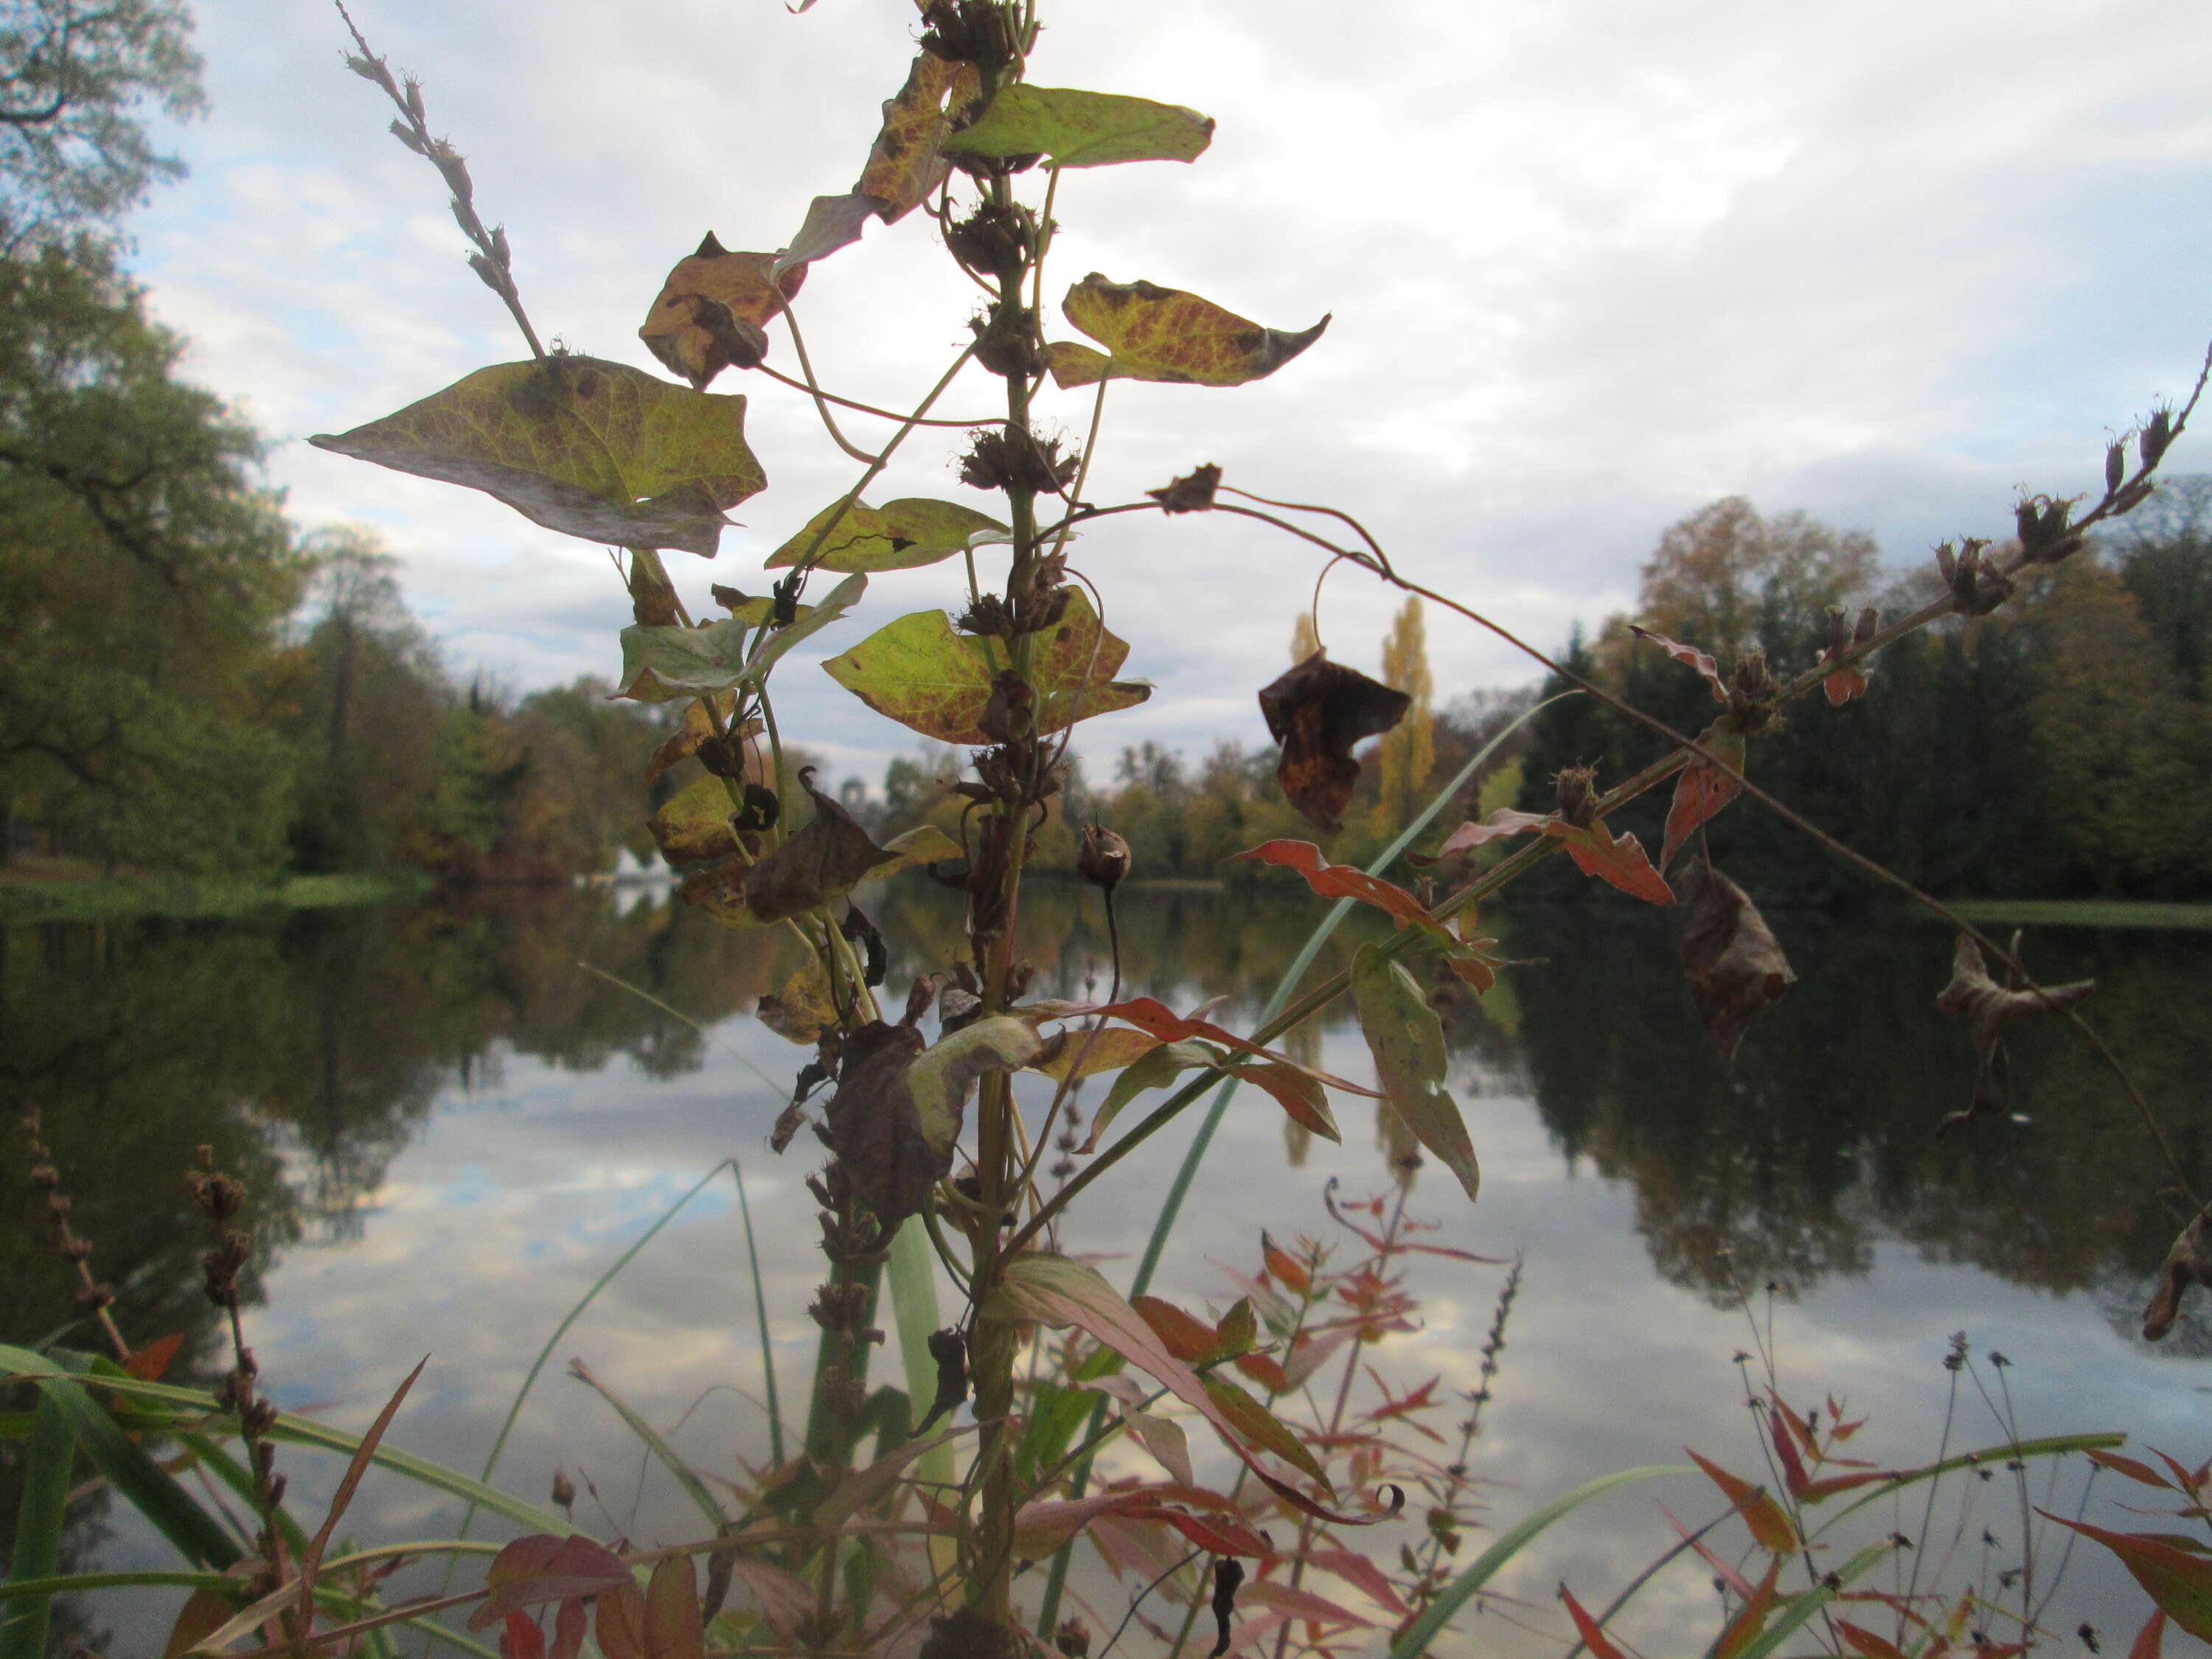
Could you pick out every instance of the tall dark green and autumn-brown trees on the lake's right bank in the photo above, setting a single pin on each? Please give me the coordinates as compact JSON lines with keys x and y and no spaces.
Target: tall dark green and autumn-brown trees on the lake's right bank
{"x":2060,"y":747}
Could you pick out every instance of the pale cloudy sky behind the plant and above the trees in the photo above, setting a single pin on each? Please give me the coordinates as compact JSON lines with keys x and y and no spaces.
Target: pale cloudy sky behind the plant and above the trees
{"x":1592,"y":267}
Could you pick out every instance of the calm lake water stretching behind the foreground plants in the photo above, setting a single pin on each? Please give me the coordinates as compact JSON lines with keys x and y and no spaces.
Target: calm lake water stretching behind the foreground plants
{"x":450,"y":1131}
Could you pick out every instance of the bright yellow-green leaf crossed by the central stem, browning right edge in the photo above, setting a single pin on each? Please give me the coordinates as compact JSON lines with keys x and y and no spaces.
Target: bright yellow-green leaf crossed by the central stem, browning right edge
{"x":939,"y":682}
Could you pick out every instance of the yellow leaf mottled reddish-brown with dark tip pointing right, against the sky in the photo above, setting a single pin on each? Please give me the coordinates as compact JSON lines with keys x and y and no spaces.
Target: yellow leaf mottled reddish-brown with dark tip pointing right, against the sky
{"x":1167,"y":335}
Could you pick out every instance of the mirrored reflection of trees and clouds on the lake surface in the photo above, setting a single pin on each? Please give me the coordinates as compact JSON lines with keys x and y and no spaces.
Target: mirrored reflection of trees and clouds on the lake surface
{"x":348,"y":1061}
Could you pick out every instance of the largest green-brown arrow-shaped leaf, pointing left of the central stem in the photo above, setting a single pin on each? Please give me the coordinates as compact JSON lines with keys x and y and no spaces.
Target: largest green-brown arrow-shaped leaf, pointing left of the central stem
{"x":585,"y":448}
